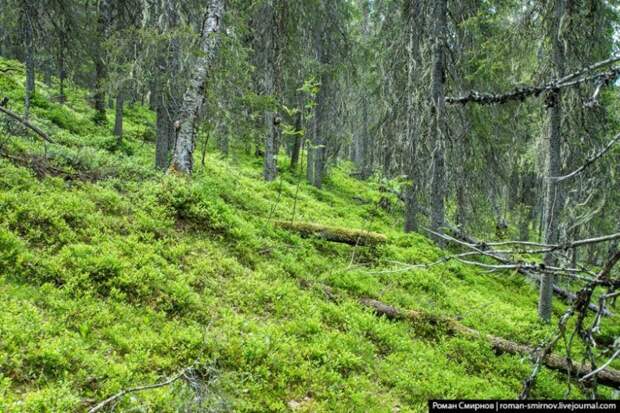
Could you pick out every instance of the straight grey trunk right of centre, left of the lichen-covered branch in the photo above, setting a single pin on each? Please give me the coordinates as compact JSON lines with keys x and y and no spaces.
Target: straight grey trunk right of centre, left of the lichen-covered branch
{"x":438,"y":113}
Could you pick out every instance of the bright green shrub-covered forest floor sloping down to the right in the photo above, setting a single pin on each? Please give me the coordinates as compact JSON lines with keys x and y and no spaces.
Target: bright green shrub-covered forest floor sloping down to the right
{"x":113,"y":275}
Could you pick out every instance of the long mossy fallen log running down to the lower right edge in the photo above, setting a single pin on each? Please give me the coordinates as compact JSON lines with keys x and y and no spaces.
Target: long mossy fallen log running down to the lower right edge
{"x":608,"y":377}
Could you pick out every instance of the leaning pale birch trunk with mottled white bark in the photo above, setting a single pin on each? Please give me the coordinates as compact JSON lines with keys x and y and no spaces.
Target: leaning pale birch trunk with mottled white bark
{"x":194,"y":95}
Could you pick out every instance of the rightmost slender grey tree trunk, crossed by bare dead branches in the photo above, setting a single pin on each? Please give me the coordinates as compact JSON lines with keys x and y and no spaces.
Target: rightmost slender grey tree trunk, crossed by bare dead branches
{"x":553,"y":200}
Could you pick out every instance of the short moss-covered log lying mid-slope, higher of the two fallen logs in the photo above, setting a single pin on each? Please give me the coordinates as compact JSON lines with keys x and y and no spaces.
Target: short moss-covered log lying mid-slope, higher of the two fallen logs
{"x":334,"y":234}
